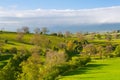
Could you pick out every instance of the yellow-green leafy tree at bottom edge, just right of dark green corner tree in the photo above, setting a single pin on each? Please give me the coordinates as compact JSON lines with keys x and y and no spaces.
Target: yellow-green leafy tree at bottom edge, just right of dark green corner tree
{"x":31,"y":68}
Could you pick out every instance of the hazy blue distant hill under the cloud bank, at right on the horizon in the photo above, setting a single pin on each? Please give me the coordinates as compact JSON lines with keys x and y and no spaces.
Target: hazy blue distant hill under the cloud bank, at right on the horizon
{"x":87,"y":28}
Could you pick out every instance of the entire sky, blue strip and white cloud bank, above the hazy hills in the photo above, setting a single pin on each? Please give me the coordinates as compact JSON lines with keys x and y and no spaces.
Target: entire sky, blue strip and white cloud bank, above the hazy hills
{"x":50,"y":13}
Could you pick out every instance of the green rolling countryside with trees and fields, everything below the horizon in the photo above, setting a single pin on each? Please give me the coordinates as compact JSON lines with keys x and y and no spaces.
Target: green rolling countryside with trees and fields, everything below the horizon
{"x":38,"y":56}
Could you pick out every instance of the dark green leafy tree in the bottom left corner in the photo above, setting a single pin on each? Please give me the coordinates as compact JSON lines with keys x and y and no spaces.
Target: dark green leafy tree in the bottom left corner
{"x":12,"y":69}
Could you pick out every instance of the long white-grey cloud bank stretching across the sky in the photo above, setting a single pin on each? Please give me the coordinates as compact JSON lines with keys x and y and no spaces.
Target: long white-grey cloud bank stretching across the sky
{"x":51,"y":17}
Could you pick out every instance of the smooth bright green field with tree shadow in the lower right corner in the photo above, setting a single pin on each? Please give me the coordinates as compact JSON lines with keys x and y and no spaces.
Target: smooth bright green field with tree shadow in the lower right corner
{"x":108,"y":69}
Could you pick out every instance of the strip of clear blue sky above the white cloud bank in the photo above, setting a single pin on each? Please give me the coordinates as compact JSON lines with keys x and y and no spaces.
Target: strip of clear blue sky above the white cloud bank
{"x":58,"y":4}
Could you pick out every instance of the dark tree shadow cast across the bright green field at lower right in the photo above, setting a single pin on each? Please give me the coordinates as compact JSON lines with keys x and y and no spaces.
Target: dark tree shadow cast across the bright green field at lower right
{"x":85,"y":70}
